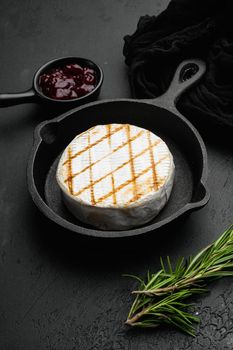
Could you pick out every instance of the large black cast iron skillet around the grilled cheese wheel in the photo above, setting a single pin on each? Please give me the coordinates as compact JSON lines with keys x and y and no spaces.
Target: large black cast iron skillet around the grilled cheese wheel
{"x":158,"y":115}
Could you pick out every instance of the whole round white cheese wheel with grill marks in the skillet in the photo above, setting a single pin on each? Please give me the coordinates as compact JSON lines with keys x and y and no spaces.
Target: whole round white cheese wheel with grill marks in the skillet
{"x":116,"y":176}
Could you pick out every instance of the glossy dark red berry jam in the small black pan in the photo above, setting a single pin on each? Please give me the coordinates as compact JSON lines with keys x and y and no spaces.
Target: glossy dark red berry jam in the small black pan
{"x":68,"y":82}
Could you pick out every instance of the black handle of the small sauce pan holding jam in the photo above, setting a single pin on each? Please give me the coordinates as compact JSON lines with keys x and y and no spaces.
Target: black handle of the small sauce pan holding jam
{"x":11,"y":99}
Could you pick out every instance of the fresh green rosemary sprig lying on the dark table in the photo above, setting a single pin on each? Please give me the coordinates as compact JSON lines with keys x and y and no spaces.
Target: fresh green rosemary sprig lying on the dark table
{"x":160,"y":300}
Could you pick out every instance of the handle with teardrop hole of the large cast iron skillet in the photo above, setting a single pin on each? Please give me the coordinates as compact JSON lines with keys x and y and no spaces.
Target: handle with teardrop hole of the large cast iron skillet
{"x":187,"y":74}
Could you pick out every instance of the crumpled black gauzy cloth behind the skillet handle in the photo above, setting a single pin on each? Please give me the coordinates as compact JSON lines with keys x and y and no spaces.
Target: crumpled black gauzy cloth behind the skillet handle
{"x":186,"y":29}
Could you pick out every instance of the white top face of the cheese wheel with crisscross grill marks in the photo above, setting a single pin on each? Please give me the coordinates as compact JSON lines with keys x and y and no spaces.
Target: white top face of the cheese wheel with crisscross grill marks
{"x":114,"y":165}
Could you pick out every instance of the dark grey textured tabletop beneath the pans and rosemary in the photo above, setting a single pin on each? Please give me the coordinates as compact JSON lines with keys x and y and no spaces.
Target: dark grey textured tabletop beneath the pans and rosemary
{"x":55,"y":292}
